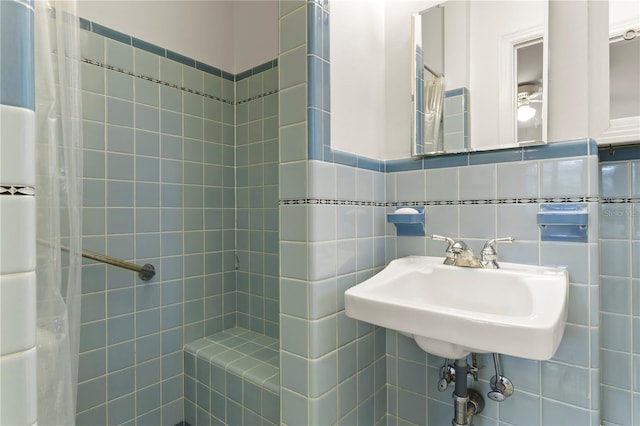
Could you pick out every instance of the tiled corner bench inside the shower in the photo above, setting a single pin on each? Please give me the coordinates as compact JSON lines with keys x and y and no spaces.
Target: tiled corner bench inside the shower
{"x":232,"y":378}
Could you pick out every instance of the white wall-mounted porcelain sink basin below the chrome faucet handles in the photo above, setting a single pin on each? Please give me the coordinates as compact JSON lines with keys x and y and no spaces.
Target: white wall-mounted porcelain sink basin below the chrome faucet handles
{"x":451,"y":311}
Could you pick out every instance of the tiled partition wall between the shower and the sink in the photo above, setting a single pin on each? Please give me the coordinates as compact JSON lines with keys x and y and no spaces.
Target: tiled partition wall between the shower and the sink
{"x":332,"y":368}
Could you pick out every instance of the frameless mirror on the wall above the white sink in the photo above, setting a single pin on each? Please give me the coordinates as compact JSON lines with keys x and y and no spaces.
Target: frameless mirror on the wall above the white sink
{"x":478,"y":76}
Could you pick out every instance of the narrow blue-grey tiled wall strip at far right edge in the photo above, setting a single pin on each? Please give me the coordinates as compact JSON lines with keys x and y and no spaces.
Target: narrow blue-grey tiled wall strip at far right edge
{"x":620,"y":284}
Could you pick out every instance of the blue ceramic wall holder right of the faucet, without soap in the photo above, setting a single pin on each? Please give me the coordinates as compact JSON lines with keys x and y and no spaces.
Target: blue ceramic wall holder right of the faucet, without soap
{"x":564,"y":222}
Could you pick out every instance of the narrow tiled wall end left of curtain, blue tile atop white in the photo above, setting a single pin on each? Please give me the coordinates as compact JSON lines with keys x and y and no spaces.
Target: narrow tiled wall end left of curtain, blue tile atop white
{"x":18,"y":391}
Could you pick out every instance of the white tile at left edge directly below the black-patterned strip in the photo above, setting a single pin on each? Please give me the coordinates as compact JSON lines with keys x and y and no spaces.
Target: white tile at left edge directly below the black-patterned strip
{"x":17,"y":234}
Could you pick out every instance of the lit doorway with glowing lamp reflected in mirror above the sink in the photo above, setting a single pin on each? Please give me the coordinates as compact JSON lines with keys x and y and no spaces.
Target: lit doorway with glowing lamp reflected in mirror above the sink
{"x":530,"y":98}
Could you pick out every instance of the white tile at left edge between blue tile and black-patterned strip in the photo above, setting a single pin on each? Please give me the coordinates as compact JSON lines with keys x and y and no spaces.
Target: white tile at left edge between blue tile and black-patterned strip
{"x":17,"y":146}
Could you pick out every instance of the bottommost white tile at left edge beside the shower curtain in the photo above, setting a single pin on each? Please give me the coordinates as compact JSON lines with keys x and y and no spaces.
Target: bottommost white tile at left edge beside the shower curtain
{"x":18,"y":405}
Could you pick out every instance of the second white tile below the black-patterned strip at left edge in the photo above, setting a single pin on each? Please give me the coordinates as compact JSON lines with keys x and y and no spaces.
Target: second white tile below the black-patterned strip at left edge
{"x":17,"y":312}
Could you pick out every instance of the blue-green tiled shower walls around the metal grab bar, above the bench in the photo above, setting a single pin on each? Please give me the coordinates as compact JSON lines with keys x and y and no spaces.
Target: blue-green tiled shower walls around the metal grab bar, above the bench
{"x":160,"y":188}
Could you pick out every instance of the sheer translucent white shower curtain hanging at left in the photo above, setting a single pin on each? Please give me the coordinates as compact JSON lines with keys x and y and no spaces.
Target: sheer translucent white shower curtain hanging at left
{"x":58,"y":203}
